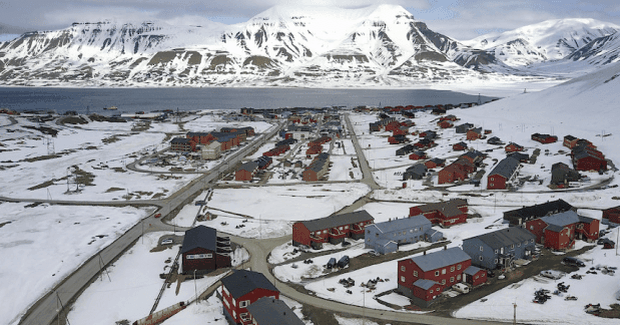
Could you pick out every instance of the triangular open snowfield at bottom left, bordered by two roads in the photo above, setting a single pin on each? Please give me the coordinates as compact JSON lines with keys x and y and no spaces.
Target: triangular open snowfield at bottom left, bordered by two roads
{"x":42,"y":244}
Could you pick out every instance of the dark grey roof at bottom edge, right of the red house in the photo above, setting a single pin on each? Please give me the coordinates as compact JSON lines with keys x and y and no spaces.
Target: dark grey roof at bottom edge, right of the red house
{"x":271,"y":311}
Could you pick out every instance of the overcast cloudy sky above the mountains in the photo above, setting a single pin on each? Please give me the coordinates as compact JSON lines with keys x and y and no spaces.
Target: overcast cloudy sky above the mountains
{"x":459,"y":19}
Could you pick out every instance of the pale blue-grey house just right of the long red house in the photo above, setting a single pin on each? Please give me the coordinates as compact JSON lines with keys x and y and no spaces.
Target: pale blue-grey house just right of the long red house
{"x":385,"y":237}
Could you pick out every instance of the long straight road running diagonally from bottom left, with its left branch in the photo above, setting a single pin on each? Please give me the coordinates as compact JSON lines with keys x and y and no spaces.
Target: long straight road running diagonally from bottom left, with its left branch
{"x":44,"y":311}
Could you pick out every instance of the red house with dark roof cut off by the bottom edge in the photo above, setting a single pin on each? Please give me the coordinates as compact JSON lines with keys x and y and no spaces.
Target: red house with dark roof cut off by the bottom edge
{"x":241,"y":289}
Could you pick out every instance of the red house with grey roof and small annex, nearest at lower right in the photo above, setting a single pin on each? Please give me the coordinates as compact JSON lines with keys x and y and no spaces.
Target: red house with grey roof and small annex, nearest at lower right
{"x":422,"y":278}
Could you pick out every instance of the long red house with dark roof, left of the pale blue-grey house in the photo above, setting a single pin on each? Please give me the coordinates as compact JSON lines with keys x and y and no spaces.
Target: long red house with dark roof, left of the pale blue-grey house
{"x":333,"y":229}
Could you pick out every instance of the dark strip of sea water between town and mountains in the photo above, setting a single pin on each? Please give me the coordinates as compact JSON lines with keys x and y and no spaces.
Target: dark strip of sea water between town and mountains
{"x":129,"y":100}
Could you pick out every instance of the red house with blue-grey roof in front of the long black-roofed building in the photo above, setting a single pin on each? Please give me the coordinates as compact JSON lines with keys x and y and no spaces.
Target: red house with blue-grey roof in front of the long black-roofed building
{"x":559,"y":231}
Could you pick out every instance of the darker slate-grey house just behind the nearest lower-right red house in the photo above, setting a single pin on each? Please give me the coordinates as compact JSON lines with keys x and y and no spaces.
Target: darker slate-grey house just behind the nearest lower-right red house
{"x":500,"y":248}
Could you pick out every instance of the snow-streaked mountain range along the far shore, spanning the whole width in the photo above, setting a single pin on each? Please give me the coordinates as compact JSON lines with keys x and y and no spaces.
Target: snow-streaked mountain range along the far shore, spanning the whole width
{"x":284,"y":46}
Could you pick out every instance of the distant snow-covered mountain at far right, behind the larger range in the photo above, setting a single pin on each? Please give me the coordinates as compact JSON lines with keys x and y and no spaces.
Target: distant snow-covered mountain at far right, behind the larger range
{"x":546,"y":41}
